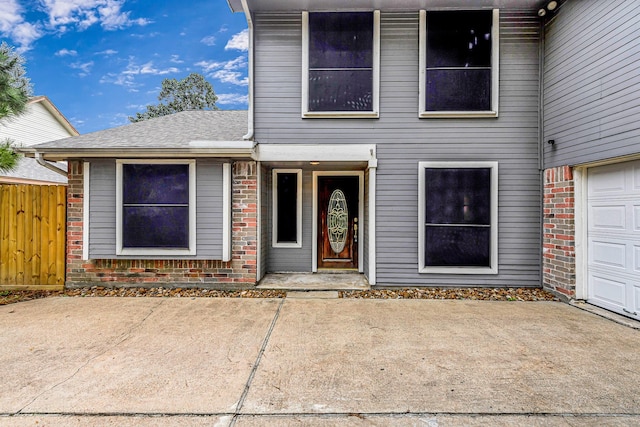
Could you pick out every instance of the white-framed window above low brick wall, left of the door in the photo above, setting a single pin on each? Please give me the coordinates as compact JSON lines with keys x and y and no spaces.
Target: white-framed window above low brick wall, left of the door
{"x":155,"y":203}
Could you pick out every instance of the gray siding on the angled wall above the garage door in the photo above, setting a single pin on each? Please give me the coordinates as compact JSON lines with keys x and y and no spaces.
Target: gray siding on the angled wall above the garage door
{"x":592,"y":82}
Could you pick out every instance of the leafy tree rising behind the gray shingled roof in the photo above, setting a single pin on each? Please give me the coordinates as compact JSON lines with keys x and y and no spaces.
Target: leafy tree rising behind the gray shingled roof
{"x":191,"y":93}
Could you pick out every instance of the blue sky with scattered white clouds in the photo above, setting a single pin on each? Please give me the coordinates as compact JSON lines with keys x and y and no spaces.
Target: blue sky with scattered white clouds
{"x":100,"y":61}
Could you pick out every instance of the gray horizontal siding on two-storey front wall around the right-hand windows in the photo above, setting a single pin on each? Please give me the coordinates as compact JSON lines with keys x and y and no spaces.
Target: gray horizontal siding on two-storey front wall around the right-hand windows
{"x":403,"y":140}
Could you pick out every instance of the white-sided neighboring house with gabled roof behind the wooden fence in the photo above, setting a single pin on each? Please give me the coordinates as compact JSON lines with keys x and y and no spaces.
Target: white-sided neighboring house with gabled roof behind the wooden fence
{"x":41,"y":122}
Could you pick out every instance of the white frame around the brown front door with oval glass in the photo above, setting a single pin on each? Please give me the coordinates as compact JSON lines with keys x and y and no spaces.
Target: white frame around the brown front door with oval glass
{"x":314,"y":210}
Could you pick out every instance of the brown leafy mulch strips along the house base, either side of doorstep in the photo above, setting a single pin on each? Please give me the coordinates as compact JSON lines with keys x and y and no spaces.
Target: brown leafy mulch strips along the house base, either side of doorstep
{"x":487,"y":294}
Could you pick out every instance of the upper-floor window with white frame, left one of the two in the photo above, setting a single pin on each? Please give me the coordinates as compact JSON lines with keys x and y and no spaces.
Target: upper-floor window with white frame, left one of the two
{"x":340,"y":64}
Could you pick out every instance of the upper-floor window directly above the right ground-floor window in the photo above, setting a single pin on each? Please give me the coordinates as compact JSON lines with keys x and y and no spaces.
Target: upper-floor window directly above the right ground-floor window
{"x":459,"y":58}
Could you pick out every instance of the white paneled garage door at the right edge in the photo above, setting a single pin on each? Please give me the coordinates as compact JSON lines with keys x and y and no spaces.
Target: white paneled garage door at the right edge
{"x":614,"y":237}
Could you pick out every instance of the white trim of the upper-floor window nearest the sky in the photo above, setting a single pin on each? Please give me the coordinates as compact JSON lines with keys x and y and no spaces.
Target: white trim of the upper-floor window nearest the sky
{"x":375,"y":113}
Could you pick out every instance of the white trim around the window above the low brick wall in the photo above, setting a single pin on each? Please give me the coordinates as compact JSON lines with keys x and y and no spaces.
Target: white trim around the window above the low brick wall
{"x":192,"y":211}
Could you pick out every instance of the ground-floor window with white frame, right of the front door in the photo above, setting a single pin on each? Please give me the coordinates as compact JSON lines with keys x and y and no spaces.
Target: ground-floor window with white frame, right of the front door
{"x":458,"y":225}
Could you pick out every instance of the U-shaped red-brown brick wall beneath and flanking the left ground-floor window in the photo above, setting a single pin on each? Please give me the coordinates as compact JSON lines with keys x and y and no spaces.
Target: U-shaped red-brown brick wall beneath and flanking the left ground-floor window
{"x":239,"y":272}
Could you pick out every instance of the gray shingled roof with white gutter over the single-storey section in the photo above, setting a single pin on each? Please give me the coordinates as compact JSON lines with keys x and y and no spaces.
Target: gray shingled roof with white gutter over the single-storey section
{"x":182,"y":134}
